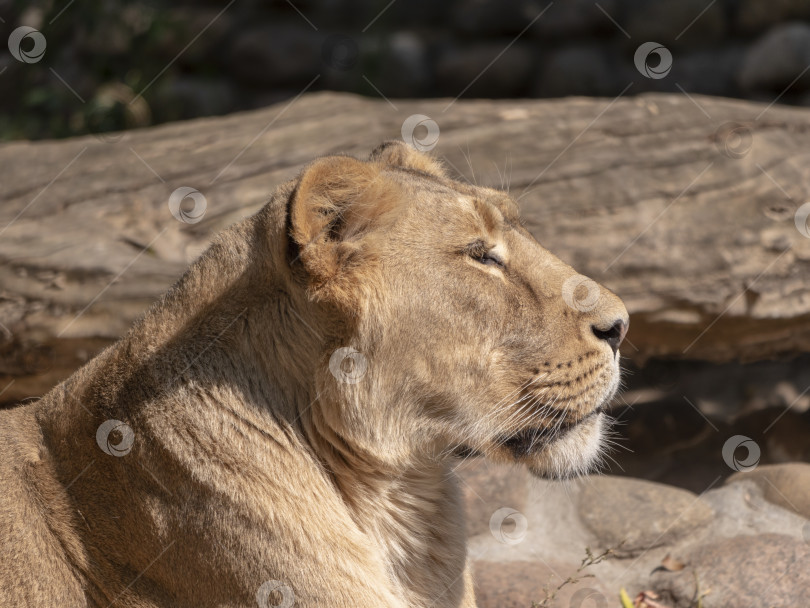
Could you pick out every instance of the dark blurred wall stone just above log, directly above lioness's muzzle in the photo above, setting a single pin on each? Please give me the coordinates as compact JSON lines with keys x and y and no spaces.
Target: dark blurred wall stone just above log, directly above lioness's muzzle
{"x":579,"y":70}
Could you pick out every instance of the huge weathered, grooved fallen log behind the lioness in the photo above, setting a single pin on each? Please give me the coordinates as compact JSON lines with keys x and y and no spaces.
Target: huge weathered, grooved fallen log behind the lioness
{"x":692,"y":224}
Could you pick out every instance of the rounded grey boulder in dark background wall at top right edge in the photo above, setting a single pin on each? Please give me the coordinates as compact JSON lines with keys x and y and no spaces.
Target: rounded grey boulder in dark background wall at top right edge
{"x":777,"y":59}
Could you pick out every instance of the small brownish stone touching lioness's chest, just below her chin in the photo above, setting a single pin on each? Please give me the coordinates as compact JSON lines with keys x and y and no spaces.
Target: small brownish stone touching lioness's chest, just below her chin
{"x":488,"y":487}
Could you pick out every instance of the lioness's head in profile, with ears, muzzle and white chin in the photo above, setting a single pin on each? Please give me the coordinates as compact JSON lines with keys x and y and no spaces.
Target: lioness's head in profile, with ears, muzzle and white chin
{"x":447,"y":328}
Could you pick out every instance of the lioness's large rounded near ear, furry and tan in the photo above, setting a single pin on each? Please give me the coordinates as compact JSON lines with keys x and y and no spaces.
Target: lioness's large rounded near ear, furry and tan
{"x":336,"y":202}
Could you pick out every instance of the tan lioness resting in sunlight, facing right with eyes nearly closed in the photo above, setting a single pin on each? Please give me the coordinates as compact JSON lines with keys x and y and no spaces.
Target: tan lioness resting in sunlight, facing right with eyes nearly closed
{"x":279,"y":429}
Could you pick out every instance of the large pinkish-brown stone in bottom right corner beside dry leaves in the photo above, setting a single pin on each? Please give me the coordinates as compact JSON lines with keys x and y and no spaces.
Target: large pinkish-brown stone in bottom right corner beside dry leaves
{"x":743,"y":572}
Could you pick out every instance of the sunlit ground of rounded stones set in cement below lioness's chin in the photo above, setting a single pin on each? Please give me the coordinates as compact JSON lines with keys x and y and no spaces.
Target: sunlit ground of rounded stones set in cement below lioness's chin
{"x":744,"y":543}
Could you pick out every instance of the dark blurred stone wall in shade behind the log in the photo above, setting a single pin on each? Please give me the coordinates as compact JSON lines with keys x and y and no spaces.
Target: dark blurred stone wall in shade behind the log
{"x":113,"y":65}
